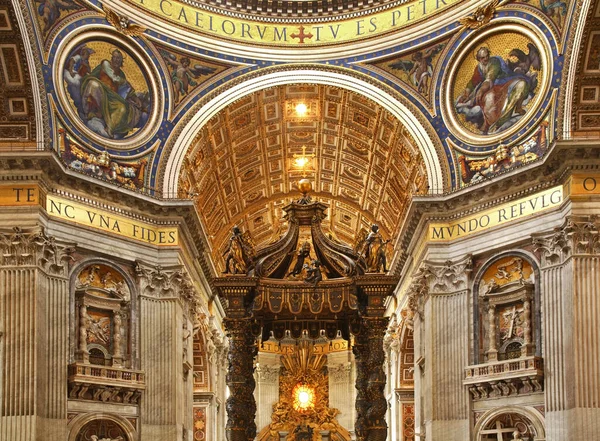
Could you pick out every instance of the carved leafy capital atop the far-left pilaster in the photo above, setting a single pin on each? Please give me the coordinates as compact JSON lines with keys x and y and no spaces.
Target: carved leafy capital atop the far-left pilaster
{"x":34,"y":247}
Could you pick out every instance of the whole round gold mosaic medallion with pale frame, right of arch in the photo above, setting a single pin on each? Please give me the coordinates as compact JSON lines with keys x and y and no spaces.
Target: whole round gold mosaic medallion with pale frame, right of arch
{"x":497,"y":82}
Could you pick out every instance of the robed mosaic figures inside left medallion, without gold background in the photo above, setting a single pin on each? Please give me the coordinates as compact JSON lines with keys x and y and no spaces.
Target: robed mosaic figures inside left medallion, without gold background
{"x":105,"y":99}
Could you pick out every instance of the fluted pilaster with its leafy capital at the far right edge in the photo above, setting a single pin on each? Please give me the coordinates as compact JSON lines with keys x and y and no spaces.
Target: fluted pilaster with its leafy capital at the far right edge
{"x":570,"y":282}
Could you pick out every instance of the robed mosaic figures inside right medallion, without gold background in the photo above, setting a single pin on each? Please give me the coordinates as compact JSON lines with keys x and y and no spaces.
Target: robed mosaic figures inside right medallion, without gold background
{"x":495,"y":97}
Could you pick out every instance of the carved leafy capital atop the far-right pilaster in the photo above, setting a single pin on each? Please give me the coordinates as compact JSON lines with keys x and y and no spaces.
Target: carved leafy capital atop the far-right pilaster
{"x":579,"y":235}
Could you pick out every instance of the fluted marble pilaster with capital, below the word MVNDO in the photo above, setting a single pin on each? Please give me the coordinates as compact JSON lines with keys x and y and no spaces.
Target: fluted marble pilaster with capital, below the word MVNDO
{"x":439,"y":297}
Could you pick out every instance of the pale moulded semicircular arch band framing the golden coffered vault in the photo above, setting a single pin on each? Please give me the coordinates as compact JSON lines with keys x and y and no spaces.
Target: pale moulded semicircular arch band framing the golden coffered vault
{"x":424,"y":136}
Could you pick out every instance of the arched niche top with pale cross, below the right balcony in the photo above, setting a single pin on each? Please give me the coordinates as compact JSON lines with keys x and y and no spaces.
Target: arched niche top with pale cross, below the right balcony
{"x":502,"y":423}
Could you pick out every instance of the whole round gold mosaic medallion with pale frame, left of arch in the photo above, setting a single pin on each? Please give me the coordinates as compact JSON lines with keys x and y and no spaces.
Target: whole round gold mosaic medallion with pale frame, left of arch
{"x":105,"y":86}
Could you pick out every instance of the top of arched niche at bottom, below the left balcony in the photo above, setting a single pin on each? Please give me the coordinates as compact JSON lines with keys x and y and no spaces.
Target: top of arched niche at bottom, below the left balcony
{"x":104,"y":426}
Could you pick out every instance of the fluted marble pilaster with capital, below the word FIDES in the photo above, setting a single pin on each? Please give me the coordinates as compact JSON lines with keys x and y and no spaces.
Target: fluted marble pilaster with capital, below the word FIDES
{"x":166,"y":300}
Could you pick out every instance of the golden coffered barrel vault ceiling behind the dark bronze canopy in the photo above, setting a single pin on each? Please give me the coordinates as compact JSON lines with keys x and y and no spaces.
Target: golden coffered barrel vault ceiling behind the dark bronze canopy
{"x":240,"y":168}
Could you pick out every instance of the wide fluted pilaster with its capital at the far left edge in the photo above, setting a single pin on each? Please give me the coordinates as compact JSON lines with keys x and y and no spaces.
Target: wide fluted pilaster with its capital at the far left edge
{"x":34,"y":335}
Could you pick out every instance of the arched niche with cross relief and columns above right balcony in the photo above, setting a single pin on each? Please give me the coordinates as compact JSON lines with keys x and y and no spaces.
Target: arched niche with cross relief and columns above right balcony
{"x":507,"y":315}
